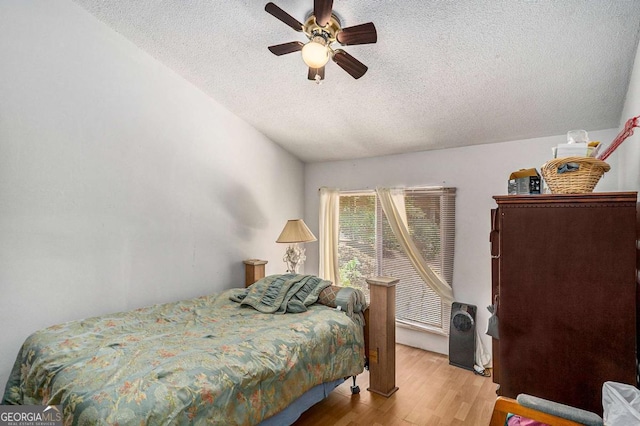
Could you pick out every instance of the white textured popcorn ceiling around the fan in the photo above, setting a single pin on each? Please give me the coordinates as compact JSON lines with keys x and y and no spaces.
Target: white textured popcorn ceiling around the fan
{"x":442,"y":74}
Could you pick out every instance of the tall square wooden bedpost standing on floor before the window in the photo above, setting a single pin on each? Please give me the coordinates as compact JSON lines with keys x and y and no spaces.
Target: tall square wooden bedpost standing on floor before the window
{"x":382,"y":335}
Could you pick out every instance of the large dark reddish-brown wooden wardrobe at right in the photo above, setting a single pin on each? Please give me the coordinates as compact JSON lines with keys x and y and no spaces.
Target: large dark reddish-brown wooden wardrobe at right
{"x":564,"y":278}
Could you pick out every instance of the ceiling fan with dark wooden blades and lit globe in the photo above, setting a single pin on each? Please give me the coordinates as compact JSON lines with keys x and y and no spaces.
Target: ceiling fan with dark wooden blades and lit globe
{"x":322,"y":28}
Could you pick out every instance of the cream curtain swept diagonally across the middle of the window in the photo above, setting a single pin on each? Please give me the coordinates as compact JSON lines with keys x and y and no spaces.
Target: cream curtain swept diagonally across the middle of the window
{"x":392,"y":201}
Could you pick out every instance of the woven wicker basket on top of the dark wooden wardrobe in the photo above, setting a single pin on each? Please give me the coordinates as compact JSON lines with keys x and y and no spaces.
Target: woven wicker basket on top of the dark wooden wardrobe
{"x":575,"y":182}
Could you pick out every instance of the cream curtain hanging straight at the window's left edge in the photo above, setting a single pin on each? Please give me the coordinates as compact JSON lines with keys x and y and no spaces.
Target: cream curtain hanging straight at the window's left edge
{"x":329,"y":234}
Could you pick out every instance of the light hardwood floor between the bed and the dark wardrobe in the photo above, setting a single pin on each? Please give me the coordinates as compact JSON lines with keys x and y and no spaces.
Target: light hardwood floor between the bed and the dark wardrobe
{"x":431,"y":392}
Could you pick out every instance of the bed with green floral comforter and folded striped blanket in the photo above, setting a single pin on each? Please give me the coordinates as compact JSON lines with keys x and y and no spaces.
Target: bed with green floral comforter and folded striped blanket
{"x":242,"y":356}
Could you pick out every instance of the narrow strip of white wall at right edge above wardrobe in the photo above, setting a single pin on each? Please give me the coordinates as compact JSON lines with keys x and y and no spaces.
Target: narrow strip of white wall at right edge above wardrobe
{"x":628,"y":153}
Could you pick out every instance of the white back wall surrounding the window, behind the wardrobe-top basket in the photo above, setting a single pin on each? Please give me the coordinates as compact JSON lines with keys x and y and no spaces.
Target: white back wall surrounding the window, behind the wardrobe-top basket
{"x":478,"y":173}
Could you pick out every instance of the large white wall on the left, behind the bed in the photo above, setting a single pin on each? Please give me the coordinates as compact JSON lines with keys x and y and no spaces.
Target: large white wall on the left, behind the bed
{"x":121,"y":184}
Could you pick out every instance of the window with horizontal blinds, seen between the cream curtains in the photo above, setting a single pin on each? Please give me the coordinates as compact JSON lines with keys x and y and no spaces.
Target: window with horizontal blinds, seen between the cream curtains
{"x":367,"y":247}
